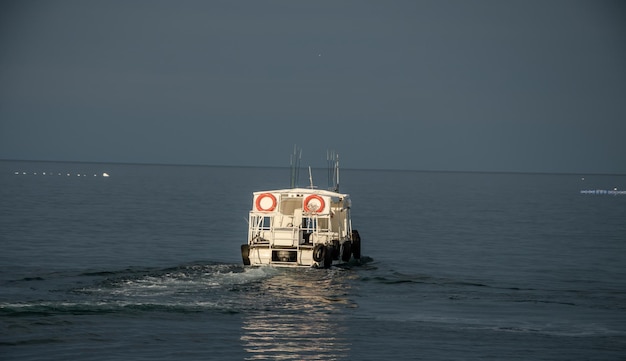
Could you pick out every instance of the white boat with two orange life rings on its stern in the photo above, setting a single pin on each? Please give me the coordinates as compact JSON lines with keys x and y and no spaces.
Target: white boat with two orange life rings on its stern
{"x":301,"y":227}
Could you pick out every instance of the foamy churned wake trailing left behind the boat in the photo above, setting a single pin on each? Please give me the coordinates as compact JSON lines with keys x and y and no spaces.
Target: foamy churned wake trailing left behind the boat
{"x":194,"y":288}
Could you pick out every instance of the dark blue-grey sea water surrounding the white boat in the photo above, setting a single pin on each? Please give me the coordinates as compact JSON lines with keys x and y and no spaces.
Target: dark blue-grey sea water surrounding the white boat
{"x":146,"y":264}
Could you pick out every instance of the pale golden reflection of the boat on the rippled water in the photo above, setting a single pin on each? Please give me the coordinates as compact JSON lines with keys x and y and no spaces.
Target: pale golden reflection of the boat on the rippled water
{"x":302,"y":317}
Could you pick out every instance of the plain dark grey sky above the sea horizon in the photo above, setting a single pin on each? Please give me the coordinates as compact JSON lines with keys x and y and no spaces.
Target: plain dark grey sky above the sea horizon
{"x":537,"y":86}
